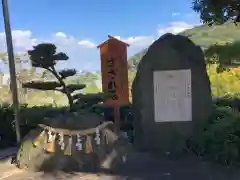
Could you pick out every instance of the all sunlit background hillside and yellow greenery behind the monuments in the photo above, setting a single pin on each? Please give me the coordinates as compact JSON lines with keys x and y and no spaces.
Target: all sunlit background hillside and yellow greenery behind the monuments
{"x":203,"y":35}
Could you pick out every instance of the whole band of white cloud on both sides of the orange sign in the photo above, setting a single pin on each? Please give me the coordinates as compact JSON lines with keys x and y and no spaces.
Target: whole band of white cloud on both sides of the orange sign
{"x":83,"y":53}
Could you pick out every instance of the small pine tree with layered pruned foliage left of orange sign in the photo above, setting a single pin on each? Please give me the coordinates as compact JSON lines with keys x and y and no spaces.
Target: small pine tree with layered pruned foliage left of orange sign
{"x":45,"y":56}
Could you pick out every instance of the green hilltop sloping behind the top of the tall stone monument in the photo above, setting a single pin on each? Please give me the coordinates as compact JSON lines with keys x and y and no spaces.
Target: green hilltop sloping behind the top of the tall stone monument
{"x":203,"y":36}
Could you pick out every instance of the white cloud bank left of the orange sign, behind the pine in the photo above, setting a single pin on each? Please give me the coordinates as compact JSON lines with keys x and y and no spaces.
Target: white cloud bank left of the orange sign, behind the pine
{"x":81,"y":53}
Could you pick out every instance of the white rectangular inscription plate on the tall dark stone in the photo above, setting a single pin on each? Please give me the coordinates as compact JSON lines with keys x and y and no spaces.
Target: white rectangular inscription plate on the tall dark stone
{"x":172,"y":95}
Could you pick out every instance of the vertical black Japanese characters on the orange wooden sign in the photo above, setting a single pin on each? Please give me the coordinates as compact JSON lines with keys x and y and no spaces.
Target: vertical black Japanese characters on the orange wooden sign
{"x":112,"y":87}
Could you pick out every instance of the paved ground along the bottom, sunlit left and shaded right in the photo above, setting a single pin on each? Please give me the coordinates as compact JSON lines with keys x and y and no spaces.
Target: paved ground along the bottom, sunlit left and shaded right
{"x":142,"y":167}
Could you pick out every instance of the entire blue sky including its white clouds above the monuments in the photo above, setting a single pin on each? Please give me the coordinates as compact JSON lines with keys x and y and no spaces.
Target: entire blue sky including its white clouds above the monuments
{"x":77,"y":26}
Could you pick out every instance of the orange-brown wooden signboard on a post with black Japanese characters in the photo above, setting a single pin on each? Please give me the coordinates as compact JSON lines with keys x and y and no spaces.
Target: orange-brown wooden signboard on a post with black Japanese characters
{"x":114,"y":69}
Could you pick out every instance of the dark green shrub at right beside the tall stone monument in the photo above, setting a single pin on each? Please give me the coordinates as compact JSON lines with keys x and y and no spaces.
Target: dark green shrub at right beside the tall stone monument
{"x":220,"y":141}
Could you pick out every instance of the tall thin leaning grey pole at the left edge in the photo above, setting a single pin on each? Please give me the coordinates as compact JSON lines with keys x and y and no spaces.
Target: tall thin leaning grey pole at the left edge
{"x":12,"y":70}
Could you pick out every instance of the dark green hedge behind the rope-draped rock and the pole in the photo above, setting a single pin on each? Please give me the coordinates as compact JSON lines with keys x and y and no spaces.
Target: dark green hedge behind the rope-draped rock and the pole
{"x":31,"y":117}
